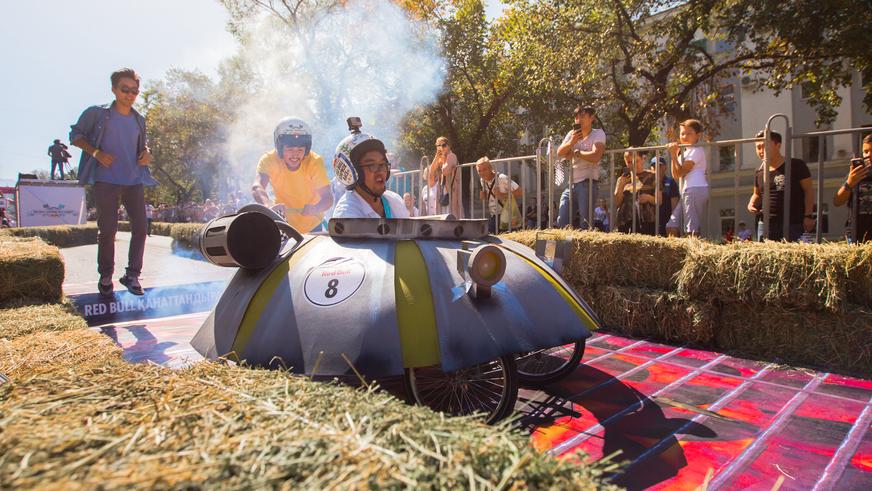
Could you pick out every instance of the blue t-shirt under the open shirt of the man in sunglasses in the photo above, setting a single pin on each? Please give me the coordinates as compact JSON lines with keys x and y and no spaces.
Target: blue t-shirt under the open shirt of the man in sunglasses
{"x":120,"y":139}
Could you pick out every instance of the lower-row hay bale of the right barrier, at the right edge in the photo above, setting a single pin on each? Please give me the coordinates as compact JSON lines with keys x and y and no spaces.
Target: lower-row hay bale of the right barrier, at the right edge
{"x":834,"y":341}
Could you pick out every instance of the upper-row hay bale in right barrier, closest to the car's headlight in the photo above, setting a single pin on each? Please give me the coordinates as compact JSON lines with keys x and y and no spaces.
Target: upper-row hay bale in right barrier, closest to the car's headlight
{"x":598,"y":258}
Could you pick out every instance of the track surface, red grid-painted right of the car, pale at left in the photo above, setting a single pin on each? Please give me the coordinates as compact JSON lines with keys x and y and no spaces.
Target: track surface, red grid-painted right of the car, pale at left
{"x":675,"y":415}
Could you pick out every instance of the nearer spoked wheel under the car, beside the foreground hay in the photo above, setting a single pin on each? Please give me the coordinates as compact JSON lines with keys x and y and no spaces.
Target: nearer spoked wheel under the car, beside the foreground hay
{"x":490,"y":388}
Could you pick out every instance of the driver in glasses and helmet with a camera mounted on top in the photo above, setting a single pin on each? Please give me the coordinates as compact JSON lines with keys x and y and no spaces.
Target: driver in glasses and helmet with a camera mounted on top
{"x":362,"y":165}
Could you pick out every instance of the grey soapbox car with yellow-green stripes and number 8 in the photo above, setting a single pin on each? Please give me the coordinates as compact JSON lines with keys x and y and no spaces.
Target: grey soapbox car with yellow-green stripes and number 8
{"x":459,"y":314}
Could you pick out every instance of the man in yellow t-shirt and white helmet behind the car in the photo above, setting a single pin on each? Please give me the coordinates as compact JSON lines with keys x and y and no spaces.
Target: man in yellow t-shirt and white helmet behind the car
{"x":298,"y":176}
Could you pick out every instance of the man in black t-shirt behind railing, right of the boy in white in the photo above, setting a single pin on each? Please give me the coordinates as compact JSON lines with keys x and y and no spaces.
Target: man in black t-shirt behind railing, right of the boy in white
{"x":801,"y":196}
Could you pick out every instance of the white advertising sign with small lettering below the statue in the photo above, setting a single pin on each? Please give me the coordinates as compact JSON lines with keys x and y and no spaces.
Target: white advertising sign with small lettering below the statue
{"x":42,"y":202}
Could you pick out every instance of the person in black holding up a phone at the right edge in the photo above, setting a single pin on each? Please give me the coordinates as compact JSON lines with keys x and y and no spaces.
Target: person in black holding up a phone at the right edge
{"x":857,"y":192}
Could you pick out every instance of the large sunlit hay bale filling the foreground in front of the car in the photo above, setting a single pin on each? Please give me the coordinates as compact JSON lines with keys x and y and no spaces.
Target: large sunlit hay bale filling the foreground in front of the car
{"x":77,"y":416}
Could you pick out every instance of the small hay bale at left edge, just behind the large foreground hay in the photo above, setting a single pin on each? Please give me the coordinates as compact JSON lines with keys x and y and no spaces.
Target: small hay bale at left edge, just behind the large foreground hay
{"x":24,"y":320}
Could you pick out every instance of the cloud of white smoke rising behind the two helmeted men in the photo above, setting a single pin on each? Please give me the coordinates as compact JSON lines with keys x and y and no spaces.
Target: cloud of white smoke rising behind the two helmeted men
{"x":366,"y":59}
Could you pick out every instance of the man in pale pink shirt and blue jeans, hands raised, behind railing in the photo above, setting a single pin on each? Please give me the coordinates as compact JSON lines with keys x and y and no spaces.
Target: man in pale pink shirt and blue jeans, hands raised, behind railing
{"x":585,"y":146}
